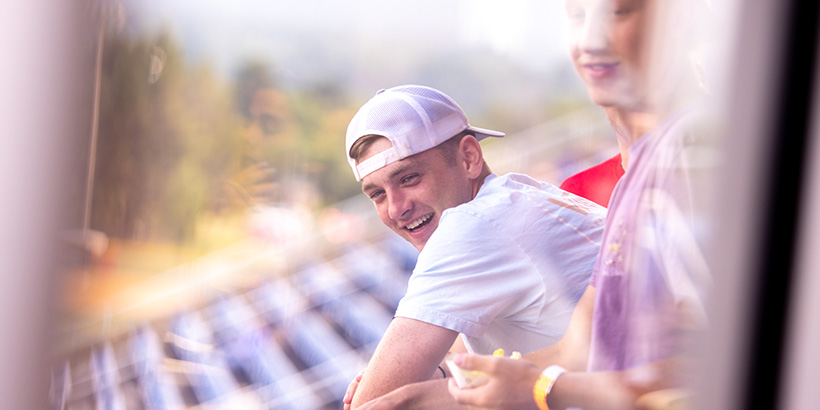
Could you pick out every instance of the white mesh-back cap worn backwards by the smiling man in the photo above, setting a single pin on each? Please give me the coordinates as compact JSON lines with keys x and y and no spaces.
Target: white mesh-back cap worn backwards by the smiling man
{"x":414,"y":118}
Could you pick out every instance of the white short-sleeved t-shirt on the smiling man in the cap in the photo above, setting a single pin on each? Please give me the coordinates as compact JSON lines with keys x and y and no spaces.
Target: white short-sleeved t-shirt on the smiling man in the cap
{"x":507,"y":268}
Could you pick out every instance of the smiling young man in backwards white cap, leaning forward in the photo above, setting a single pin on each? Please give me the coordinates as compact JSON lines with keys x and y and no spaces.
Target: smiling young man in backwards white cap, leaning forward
{"x":503,"y":259}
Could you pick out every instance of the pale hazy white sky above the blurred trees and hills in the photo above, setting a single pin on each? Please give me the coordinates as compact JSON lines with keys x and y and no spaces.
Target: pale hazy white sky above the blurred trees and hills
{"x":527,"y":31}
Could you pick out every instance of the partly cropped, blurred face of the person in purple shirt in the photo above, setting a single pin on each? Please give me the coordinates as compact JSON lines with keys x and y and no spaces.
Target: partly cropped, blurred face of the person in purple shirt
{"x":608,"y":51}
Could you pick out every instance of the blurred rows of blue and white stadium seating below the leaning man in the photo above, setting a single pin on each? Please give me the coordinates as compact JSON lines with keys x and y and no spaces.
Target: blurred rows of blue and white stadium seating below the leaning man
{"x":290,"y":342}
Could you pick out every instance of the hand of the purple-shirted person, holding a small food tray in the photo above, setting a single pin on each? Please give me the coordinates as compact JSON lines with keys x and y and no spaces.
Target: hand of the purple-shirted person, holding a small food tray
{"x":509,"y":385}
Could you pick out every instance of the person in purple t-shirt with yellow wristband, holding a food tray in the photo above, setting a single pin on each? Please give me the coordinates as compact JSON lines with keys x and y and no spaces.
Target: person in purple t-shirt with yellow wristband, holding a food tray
{"x":629,"y":334}
